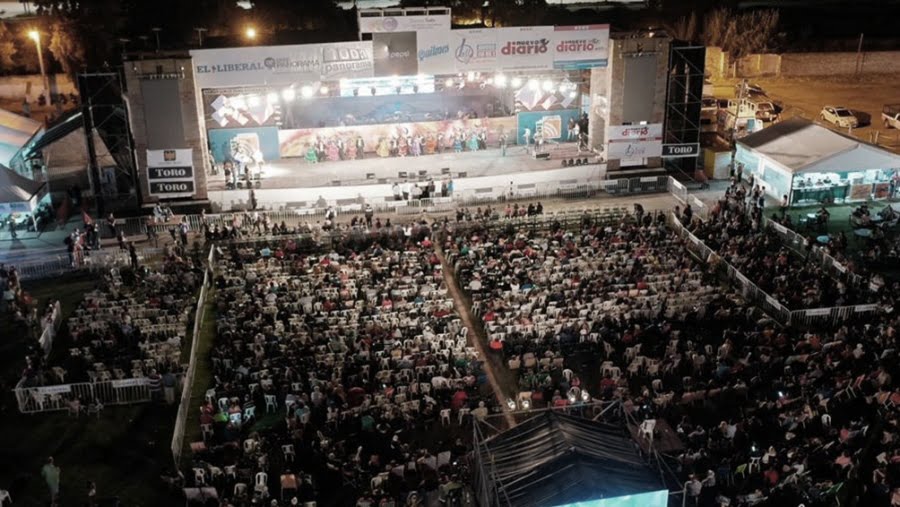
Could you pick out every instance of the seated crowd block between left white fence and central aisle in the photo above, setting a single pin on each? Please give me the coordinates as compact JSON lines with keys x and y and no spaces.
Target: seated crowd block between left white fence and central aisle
{"x":360,"y":357}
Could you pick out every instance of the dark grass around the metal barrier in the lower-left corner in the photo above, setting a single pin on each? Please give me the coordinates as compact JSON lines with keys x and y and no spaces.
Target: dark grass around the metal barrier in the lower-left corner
{"x":123,"y":451}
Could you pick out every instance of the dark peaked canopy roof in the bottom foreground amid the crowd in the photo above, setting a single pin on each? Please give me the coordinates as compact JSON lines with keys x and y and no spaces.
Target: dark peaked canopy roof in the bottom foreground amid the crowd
{"x":557,"y":459}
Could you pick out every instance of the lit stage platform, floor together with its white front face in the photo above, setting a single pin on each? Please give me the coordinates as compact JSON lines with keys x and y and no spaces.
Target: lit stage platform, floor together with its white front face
{"x":296,"y":183}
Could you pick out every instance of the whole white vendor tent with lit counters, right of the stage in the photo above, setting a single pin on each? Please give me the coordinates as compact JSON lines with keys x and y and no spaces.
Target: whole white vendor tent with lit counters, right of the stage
{"x":812,"y":164}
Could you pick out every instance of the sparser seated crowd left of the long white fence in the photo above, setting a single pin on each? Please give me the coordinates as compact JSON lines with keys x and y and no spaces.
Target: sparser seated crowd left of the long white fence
{"x":131,"y":326}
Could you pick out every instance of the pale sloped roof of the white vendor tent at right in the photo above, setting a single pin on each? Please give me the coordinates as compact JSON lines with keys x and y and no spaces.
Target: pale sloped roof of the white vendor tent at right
{"x":801,"y":146}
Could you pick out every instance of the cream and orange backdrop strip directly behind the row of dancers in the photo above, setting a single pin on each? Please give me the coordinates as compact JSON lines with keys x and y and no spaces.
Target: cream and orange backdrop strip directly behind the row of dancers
{"x":294,"y":143}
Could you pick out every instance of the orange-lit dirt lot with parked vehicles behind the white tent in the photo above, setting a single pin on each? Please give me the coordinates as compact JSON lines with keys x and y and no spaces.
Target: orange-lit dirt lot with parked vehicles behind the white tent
{"x":805,"y":97}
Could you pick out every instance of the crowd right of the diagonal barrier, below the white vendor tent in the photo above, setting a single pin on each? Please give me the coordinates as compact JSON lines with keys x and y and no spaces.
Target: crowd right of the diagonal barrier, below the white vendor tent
{"x":736,"y":230}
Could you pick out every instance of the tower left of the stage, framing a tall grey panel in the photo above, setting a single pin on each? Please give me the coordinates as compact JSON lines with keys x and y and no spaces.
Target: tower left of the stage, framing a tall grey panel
{"x":191,"y":116}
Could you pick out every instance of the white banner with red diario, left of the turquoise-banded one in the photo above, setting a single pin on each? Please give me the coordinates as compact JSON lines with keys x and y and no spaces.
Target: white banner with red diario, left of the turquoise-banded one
{"x":524,"y":48}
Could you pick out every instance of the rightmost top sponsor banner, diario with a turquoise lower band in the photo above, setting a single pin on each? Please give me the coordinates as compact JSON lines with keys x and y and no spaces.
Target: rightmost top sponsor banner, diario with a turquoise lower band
{"x":580,"y":47}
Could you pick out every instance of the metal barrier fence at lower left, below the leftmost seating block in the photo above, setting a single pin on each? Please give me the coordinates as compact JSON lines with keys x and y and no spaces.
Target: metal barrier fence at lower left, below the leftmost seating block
{"x":61,"y":397}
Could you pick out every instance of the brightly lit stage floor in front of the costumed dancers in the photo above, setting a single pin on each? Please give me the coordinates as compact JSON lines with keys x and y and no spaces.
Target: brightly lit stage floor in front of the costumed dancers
{"x":297,"y":173}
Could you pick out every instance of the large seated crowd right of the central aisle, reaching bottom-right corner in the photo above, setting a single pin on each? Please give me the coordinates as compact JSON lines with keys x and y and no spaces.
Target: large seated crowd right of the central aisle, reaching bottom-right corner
{"x":763,"y":415}
